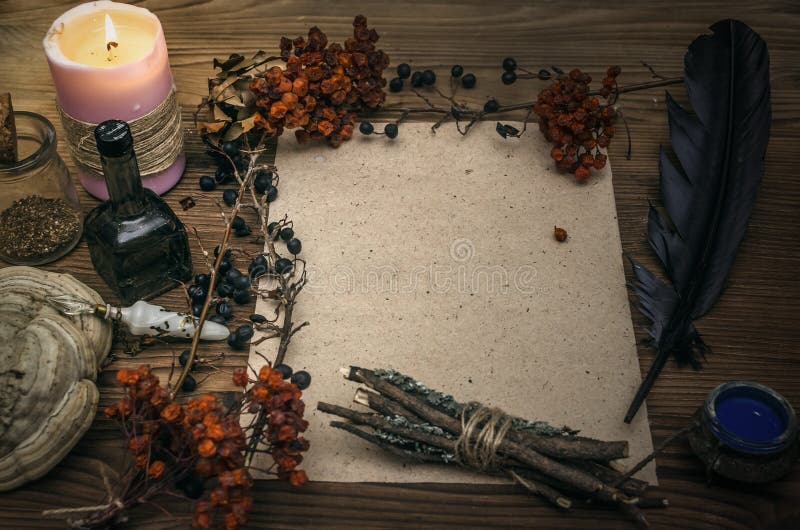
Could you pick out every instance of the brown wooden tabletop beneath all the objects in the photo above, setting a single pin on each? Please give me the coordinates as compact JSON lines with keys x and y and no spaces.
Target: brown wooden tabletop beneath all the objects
{"x":752,"y":329}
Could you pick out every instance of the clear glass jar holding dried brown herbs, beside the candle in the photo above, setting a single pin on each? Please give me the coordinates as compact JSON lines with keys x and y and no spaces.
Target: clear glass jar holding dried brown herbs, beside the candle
{"x":40,"y":216}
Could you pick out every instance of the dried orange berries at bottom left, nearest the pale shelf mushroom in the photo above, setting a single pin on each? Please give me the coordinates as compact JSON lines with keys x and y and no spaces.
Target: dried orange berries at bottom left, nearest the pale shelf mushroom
{"x":188,"y":446}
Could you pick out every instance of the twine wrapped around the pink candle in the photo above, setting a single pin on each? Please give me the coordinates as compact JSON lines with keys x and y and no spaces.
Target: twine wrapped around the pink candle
{"x":158,"y":138}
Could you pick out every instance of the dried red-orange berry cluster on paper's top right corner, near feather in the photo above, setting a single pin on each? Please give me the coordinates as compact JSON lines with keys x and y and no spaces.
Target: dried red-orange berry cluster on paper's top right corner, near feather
{"x":575,"y":121}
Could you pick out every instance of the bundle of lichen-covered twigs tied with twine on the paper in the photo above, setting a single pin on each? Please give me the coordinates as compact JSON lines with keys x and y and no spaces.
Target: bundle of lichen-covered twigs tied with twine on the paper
{"x":413,"y":421}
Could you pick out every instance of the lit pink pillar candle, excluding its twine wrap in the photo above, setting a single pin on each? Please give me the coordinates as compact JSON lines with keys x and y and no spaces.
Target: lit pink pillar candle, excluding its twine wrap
{"x":96,"y":80}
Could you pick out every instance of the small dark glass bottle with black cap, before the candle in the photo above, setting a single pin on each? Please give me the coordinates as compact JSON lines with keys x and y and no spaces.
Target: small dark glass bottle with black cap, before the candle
{"x":137,"y":243}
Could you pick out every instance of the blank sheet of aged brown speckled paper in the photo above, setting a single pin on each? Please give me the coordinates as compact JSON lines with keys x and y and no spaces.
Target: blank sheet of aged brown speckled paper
{"x":434,"y":254}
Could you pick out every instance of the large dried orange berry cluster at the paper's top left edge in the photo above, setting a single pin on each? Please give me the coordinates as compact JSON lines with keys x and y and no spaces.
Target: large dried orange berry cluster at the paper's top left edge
{"x":322,"y":86}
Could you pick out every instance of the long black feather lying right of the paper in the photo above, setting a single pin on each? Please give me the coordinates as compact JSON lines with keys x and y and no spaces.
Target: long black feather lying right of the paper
{"x":708,"y":188}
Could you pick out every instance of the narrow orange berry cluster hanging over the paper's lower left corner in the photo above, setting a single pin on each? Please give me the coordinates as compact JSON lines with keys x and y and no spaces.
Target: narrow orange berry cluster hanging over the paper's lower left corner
{"x":280,"y":400}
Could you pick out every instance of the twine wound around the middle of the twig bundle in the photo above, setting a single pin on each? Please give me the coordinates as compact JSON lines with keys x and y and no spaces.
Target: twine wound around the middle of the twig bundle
{"x":482,"y":432}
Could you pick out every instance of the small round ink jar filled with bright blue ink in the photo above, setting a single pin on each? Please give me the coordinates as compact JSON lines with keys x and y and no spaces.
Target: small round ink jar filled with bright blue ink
{"x":746,"y":432}
